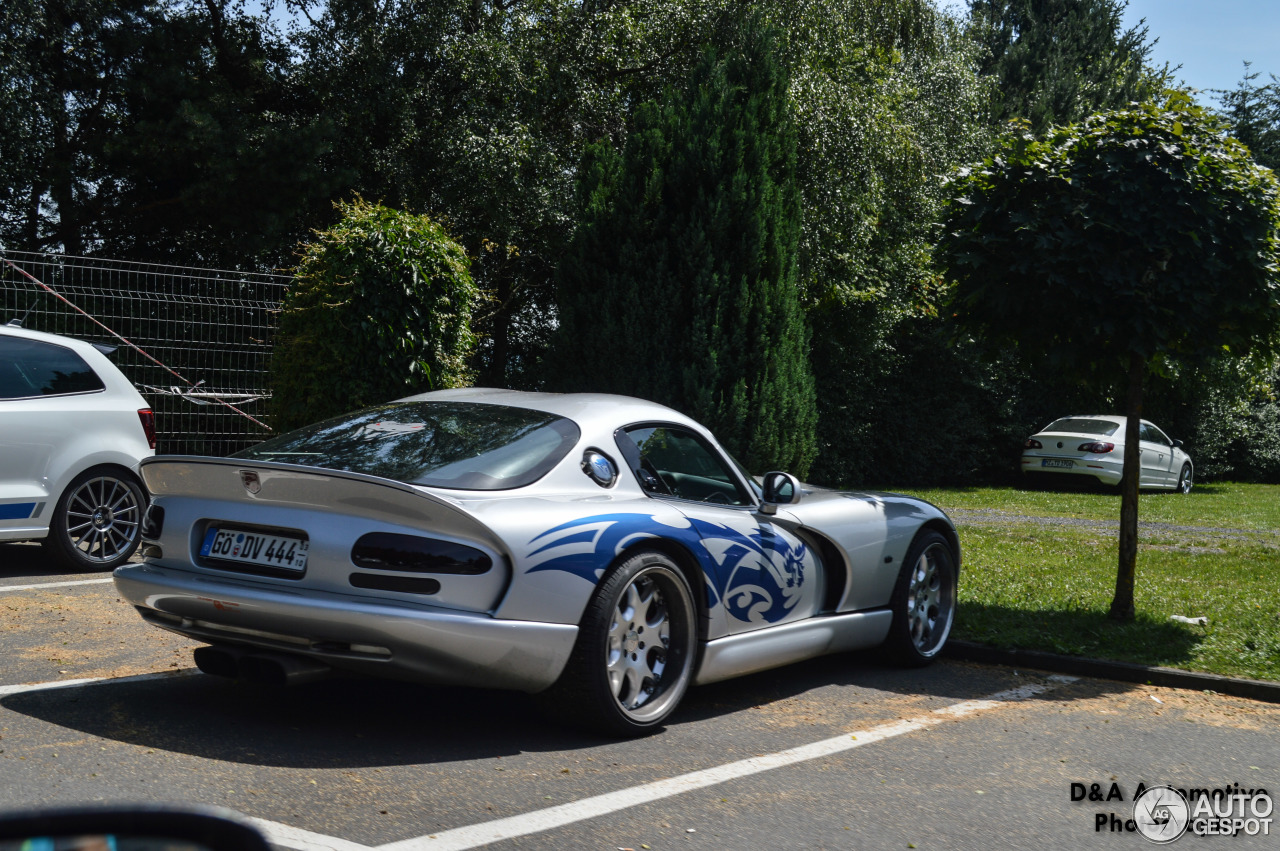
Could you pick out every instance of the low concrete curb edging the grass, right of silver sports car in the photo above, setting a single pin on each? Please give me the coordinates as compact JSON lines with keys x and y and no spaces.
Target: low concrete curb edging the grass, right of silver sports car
{"x":1121,"y":671}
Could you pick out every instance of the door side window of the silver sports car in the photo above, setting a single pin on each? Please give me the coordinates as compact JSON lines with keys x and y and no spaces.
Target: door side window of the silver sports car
{"x":676,"y":463}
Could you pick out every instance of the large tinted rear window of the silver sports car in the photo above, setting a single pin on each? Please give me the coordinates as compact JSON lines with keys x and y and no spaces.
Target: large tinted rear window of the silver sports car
{"x":442,"y":445}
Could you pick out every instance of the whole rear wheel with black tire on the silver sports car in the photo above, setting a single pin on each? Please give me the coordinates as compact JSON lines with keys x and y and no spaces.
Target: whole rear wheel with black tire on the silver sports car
{"x":636,"y":652}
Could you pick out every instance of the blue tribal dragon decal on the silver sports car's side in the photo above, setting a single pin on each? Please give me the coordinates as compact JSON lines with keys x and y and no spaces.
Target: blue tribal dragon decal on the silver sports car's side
{"x":760,"y":574}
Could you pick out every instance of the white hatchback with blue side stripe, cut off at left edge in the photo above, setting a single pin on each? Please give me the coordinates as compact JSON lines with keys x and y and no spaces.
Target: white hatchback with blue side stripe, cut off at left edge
{"x":72,"y":434}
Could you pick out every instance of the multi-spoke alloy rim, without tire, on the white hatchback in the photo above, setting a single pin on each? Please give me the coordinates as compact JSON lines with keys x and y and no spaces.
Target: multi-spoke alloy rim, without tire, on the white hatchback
{"x":103,"y":519}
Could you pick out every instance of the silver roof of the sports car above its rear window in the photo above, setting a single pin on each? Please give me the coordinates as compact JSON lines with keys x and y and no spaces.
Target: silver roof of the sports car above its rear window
{"x":589,"y":410}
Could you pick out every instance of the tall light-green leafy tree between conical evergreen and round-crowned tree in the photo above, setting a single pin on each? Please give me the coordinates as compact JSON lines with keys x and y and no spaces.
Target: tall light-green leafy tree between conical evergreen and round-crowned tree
{"x":885,"y":98}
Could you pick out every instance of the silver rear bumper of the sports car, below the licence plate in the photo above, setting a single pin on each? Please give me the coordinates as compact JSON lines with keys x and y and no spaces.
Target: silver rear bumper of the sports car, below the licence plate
{"x":355,"y":634}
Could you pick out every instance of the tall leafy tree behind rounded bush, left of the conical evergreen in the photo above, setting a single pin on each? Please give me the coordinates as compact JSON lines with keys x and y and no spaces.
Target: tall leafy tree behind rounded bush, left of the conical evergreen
{"x":478,"y":112}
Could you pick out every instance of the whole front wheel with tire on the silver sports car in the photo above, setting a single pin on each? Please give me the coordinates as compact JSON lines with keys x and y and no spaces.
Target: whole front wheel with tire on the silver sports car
{"x":924,"y":602}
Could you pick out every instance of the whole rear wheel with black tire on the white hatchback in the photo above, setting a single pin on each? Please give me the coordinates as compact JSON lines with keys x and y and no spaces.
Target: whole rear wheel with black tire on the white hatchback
{"x":98,"y":521}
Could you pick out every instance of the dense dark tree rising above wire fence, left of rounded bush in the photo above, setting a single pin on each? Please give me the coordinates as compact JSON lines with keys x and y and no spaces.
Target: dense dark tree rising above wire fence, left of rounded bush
{"x":217,"y":158}
